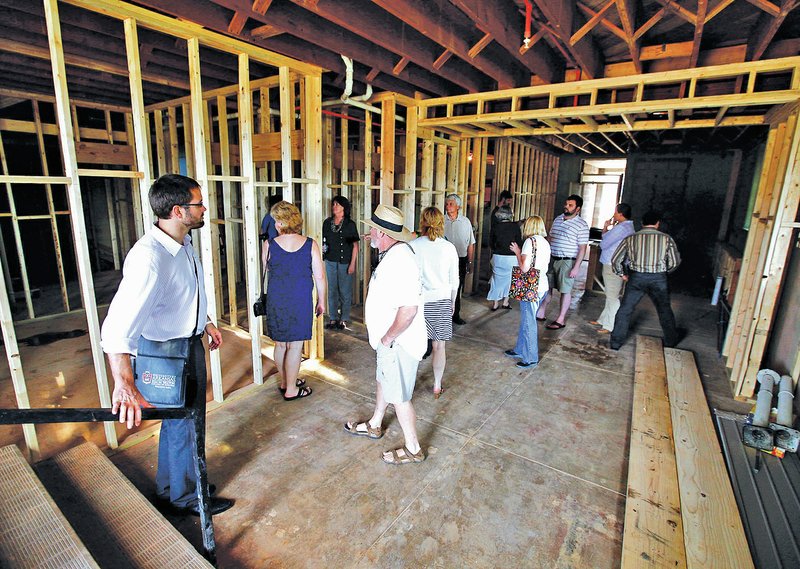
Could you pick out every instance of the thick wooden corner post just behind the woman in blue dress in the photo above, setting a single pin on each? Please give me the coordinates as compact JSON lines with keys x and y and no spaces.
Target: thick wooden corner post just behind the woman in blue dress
{"x":312,"y":190}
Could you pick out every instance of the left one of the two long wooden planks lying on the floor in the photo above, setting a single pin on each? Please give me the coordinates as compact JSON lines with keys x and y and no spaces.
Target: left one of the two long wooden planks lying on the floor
{"x":653,"y":534}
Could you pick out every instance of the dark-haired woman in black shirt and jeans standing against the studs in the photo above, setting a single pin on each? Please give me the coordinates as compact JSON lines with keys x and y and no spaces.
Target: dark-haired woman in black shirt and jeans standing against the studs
{"x":340,"y":251}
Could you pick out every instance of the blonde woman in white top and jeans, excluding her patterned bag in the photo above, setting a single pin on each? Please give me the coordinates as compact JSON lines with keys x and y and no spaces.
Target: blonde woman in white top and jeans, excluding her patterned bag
{"x":535,"y":253}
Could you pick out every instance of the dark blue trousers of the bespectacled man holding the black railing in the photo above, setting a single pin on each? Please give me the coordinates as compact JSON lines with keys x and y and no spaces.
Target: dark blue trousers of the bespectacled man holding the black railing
{"x":176,"y":480}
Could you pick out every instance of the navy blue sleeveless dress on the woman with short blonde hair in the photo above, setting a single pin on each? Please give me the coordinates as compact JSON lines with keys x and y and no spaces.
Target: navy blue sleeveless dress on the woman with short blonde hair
{"x":290,"y":309}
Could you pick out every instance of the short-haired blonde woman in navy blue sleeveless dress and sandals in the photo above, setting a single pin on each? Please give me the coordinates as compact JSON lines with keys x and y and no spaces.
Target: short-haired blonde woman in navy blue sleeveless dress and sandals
{"x":294,"y":264}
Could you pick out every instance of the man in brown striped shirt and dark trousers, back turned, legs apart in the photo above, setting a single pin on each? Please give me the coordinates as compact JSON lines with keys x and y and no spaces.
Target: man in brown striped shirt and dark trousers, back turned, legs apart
{"x":643,"y":260}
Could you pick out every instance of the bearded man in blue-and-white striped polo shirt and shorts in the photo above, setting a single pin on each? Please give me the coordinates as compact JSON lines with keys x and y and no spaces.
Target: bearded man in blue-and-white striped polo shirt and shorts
{"x":569,"y":237}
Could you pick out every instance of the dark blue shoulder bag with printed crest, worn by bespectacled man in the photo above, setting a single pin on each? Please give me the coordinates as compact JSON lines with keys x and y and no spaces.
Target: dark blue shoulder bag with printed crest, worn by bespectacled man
{"x":161,"y":369}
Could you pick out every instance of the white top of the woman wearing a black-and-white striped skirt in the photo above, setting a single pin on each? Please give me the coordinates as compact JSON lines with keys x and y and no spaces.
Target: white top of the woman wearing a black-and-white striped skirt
{"x":438,"y":264}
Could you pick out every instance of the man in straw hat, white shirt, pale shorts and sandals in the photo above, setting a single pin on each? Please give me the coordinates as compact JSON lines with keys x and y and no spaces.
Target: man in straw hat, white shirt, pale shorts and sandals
{"x":396,"y":326}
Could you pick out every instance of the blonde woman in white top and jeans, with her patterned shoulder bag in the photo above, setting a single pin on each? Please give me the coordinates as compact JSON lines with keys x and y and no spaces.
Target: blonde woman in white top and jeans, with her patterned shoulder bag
{"x":530,"y":288}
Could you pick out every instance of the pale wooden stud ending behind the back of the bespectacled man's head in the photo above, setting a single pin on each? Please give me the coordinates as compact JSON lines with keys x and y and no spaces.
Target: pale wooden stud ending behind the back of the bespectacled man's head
{"x":141,"y":130}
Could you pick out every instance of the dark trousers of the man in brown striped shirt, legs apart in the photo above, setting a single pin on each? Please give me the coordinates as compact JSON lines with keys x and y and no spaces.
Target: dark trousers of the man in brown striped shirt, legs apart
{"x":655,"y":286}
